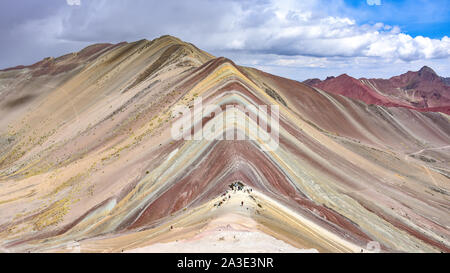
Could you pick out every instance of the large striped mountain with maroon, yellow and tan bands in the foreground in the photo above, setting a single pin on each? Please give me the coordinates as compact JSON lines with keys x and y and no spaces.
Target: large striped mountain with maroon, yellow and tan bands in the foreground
{"x":88,"y":162}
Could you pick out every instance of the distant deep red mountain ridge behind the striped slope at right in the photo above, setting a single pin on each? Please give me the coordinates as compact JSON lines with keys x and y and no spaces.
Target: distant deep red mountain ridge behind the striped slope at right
{"x":423,"y":90}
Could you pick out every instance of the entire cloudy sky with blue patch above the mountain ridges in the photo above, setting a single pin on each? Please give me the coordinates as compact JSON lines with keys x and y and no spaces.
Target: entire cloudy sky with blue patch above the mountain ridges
{"x":295,"y":39}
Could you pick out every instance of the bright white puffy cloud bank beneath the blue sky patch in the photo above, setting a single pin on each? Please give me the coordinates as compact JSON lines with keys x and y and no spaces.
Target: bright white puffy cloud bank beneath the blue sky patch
{"x":290,"y":29}
